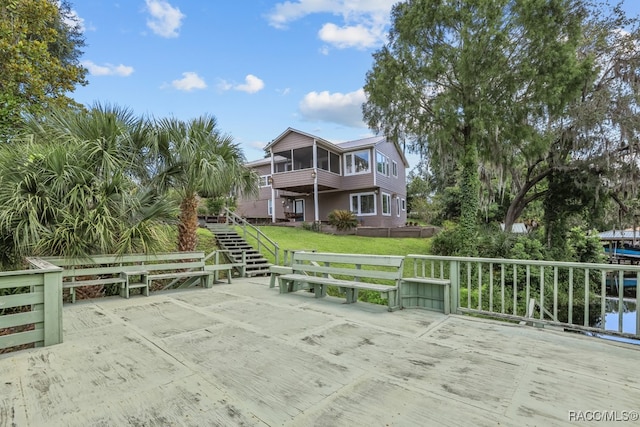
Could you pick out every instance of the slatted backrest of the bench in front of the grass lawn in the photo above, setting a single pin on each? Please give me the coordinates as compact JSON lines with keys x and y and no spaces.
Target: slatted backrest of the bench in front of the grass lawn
{"x":348,"y":266}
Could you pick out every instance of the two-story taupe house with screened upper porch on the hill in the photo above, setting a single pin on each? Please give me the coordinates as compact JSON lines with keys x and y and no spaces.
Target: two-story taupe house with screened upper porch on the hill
{"x":305,"y":177}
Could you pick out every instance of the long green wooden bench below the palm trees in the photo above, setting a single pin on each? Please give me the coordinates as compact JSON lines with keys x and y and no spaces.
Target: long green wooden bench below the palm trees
{"x":138,"y":271}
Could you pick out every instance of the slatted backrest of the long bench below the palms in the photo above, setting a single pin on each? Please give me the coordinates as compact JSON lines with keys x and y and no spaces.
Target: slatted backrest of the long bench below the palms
{"x":114,"y":264}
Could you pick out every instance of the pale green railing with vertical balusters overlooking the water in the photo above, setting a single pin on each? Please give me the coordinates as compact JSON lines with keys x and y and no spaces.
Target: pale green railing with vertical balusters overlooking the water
{"x":571,"y":295}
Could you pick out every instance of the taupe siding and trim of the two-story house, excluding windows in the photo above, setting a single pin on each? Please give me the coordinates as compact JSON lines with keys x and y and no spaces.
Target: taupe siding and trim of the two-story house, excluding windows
{"x":335,"y":191}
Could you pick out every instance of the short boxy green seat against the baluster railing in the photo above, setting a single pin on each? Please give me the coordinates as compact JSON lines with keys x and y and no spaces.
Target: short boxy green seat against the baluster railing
{"x":424,"y":290}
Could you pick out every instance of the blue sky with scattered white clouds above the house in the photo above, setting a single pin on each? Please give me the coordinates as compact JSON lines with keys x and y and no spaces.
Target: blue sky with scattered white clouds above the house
{"x":257,"y":66}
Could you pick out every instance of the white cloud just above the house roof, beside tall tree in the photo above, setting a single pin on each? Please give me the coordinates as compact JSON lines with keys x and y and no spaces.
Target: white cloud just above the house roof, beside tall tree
{"x":341,"y":108}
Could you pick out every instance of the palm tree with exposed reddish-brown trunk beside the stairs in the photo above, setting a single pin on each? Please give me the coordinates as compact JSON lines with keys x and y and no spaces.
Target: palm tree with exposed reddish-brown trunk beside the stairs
{"x":199,"y":161}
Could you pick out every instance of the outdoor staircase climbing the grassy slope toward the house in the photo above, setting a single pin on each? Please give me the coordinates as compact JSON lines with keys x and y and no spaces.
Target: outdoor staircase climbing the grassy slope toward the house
{"x":229,"y":240}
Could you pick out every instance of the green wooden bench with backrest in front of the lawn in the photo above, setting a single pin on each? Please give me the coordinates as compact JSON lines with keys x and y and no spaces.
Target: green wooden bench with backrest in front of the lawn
{"x":349,"y":272}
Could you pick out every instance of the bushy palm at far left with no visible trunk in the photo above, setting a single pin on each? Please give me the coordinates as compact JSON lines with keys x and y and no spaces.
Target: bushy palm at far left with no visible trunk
{"x":76,"y":189}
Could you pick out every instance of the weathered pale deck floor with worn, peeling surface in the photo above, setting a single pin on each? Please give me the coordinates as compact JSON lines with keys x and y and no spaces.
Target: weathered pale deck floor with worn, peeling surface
{"x":242,"y":354}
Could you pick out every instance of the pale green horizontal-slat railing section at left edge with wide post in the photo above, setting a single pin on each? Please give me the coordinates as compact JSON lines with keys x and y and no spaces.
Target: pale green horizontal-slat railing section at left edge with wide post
{"x":31,"y":306}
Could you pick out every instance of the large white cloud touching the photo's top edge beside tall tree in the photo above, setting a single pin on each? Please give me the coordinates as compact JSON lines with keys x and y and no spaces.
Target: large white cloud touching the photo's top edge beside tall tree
{"x":363,"y":25}
